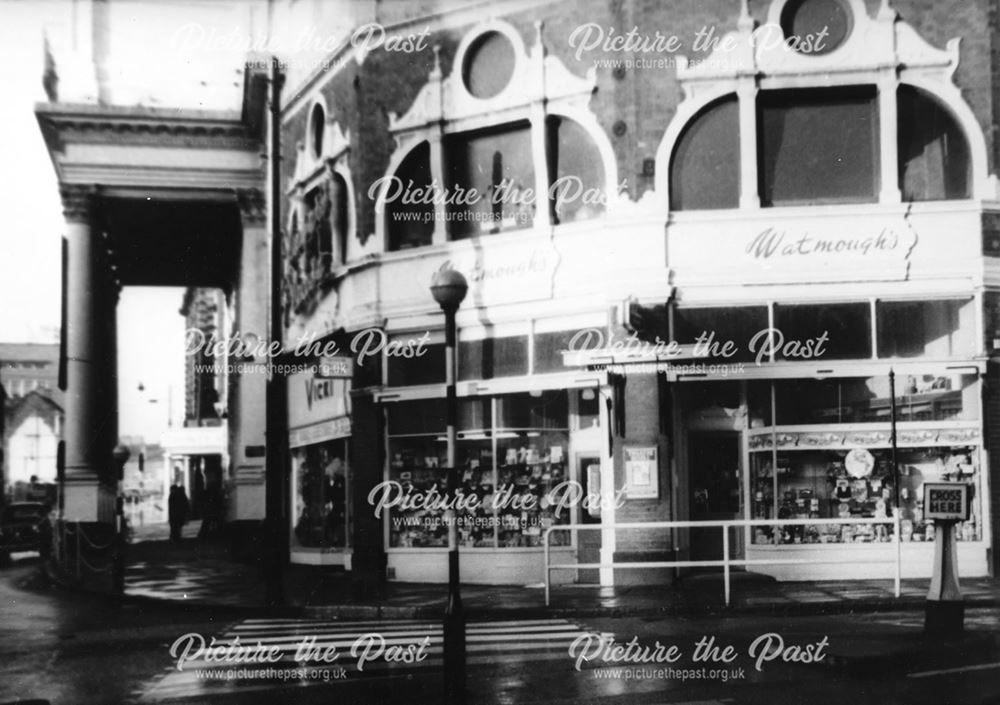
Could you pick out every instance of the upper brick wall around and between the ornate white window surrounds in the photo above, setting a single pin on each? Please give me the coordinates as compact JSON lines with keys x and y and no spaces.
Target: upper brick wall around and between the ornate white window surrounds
{"x":643,"y":101}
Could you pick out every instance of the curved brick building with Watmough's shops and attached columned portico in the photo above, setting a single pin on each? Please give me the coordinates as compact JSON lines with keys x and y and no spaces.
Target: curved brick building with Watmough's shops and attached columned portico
{"x":738,"y":262}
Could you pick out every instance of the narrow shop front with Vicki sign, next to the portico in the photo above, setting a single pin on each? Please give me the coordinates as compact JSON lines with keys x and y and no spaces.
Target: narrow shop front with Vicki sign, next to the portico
{"x":318,"y":440}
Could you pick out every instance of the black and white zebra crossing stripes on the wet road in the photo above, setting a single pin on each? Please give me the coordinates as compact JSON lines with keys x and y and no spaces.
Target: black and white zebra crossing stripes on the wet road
{"x":298,"y":652}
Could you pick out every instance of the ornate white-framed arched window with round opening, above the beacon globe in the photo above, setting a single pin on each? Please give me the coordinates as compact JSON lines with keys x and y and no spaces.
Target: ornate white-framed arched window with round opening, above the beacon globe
{"x":502,"y":143}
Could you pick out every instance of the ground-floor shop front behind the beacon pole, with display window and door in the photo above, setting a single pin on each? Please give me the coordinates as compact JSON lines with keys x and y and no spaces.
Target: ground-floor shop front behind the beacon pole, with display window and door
{"x":529,"y":451}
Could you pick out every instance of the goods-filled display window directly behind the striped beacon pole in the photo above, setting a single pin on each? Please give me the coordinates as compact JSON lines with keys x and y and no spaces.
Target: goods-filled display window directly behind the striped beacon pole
{"x":508,"y":469}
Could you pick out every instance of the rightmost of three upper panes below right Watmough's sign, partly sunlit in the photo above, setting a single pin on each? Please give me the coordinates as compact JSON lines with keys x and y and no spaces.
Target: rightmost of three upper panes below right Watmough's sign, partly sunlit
{"x":933,"y":328}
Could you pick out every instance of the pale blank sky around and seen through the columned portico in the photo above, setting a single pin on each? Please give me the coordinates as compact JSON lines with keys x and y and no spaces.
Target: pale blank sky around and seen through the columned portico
{"x":150,"y":66}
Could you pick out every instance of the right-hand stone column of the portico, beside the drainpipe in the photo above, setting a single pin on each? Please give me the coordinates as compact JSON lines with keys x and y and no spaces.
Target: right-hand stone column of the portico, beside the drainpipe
{"x":247,"y":404}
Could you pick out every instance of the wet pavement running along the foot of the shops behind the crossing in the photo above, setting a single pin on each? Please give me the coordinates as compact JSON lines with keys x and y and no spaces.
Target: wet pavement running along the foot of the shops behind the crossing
{"x":201,"y":572}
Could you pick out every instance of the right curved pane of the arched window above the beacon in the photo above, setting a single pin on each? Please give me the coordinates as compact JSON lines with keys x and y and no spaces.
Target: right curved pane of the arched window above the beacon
{"x":577,"y":172}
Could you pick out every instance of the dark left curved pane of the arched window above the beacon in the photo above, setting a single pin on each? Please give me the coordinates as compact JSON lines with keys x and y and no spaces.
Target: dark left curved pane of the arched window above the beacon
{"x":410,"y":224}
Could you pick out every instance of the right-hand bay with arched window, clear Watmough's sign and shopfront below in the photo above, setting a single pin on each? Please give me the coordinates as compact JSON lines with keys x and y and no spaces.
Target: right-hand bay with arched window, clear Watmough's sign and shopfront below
{"x":828,"y":242}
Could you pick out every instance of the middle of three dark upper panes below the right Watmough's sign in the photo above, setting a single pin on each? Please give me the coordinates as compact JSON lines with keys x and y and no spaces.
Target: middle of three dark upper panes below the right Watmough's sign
{"x":838,"y":331}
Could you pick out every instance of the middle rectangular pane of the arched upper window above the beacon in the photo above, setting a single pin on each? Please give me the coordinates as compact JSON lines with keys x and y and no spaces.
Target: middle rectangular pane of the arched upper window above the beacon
{"x":498,"y":165}
